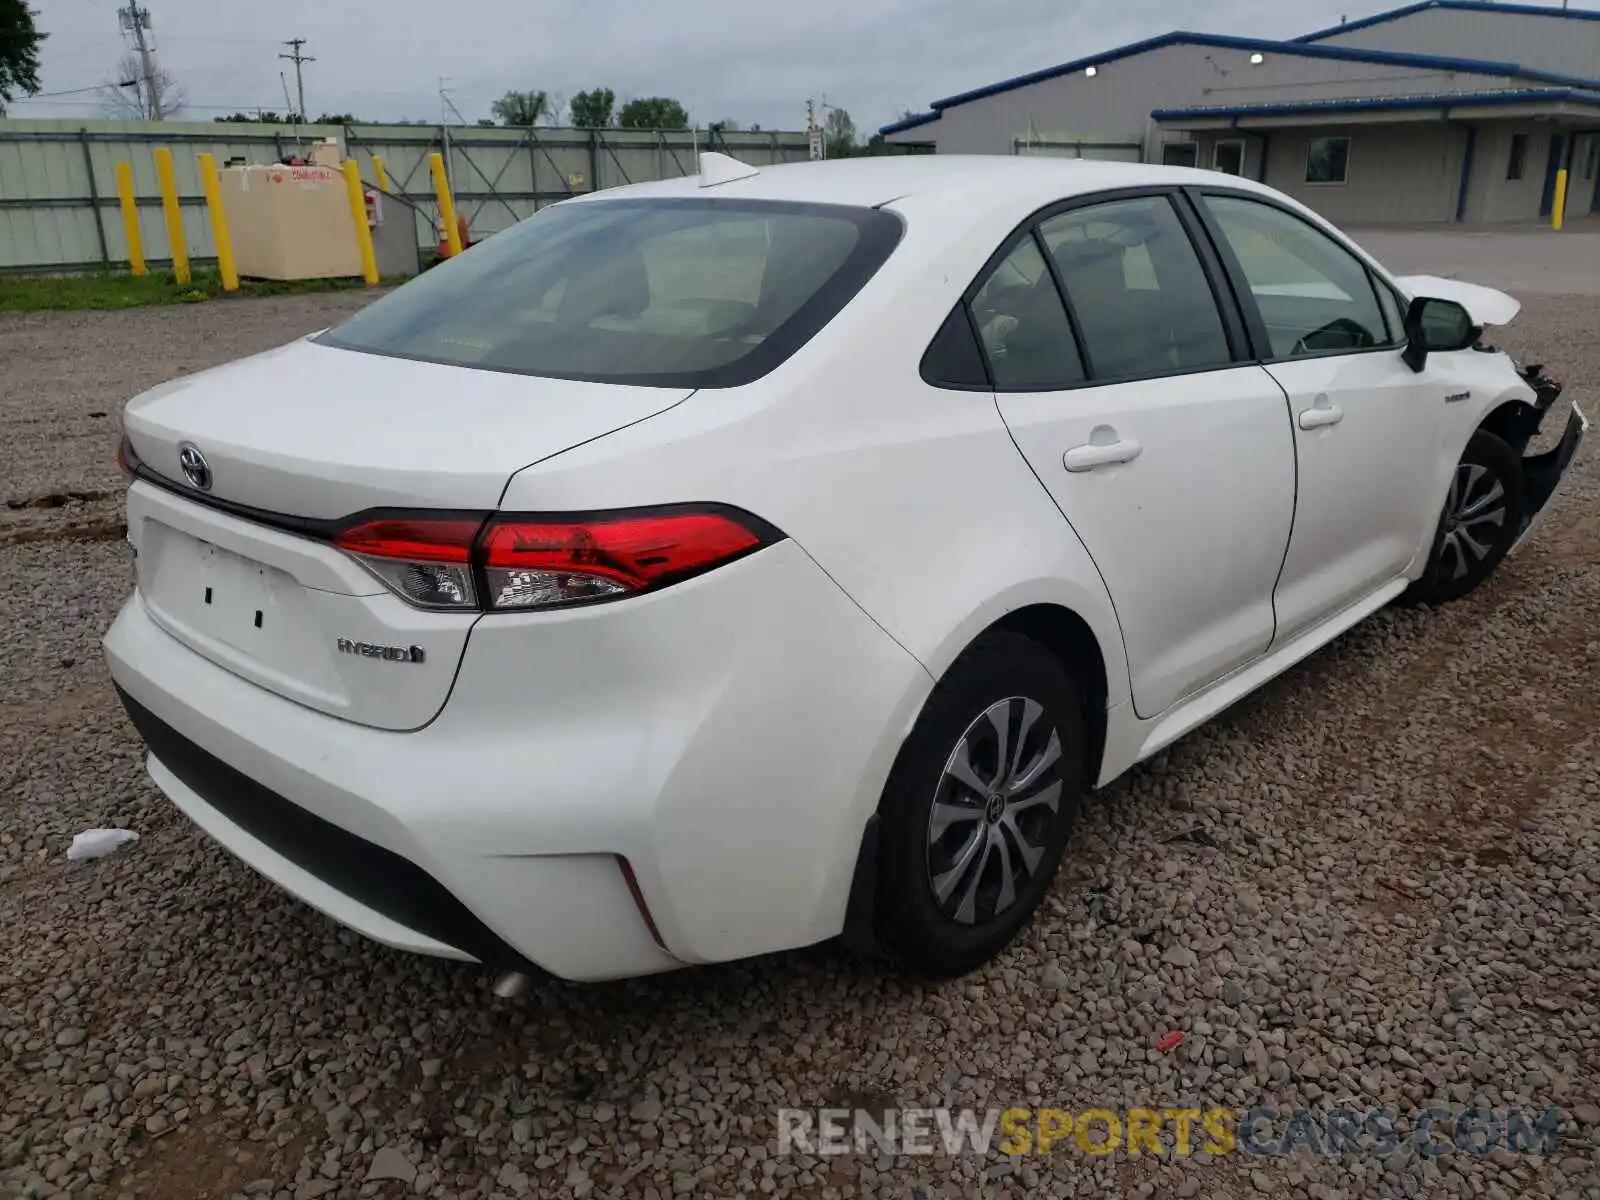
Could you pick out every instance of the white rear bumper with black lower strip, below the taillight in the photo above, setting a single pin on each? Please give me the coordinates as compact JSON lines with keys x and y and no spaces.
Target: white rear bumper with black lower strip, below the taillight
{"x":727,"y":740}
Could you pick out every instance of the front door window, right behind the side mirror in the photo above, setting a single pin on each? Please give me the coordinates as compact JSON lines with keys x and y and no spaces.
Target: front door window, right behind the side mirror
{"x":1313,"y":294}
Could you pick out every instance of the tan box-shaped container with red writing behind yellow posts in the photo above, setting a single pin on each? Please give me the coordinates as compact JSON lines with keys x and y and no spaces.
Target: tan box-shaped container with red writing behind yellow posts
{"x":290,"y":222}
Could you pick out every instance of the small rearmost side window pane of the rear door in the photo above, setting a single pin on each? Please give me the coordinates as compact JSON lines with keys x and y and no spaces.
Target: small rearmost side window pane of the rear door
{"x":1023,"y":326}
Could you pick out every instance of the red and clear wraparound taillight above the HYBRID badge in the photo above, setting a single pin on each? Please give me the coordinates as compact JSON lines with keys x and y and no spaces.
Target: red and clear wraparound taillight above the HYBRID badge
{"x":538,"y":562}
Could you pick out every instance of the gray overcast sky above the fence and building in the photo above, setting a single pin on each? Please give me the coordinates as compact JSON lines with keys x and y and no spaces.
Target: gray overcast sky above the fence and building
{"x":743,"y":60}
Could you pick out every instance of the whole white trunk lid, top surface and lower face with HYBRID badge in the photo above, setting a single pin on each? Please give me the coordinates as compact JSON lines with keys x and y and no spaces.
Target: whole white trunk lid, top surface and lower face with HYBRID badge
{"x":318,"y":433}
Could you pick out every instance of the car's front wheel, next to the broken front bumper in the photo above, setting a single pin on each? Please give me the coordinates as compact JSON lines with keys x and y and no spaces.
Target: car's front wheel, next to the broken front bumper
{"x":1487,"y":484}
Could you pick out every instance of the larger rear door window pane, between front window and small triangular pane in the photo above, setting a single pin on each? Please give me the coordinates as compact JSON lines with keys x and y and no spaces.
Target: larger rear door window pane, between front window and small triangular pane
{"x":1138,"y":289}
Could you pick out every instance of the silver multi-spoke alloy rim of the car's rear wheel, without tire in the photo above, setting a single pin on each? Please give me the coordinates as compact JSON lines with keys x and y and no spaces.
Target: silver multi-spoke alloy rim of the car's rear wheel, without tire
{"x":993,"y":810}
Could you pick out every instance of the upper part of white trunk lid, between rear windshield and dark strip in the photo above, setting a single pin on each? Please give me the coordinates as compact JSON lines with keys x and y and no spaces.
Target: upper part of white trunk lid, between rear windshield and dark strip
{"x":316,"y":431}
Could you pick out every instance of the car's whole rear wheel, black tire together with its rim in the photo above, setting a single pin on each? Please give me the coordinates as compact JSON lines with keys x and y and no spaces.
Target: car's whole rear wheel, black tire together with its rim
{"x":948,"y":938}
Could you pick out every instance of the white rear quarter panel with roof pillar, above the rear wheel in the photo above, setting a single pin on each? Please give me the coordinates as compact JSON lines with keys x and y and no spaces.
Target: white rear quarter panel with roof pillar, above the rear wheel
{"x":913,"y":498}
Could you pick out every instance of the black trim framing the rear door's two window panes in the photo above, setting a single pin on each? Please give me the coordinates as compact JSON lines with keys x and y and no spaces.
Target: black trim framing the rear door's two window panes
{"x":1223,"y":290}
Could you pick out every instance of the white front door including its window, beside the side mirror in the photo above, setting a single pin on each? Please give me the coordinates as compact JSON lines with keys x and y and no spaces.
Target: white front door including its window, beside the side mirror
{"x":1367,"y":428}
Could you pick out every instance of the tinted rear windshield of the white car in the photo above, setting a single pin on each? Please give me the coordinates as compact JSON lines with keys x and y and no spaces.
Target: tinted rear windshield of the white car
{"x":681,"y":292}
